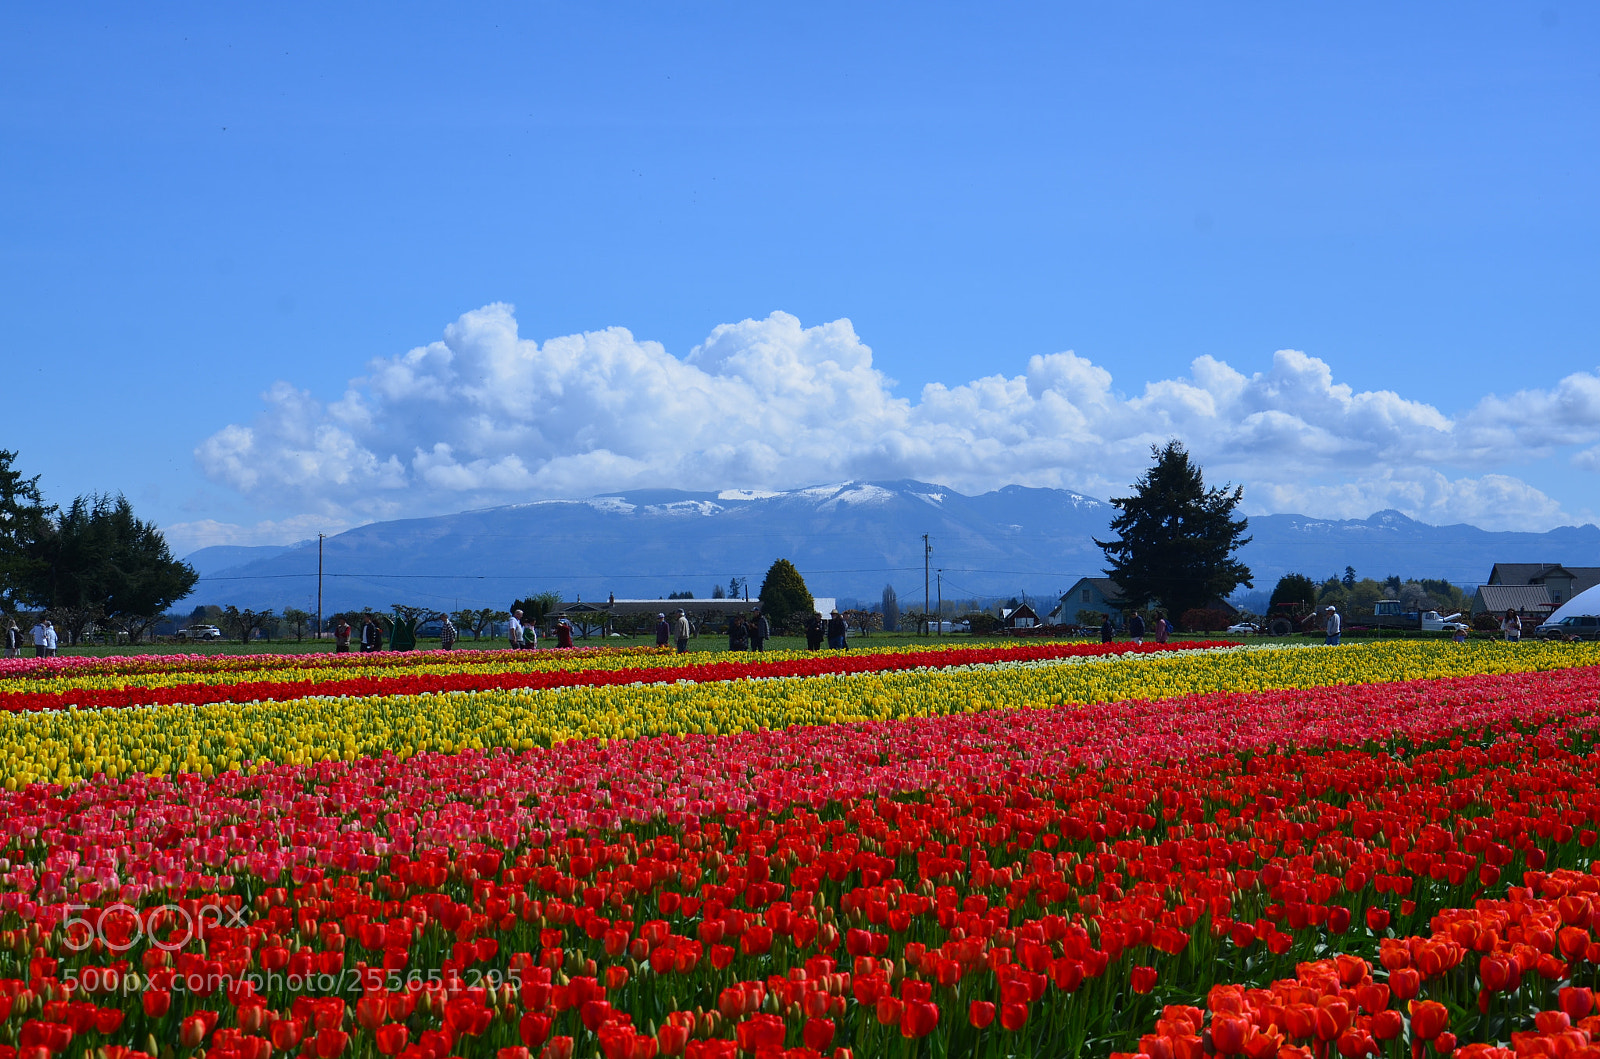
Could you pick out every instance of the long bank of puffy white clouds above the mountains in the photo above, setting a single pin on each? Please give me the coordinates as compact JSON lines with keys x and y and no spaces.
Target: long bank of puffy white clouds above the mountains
{"x":484,"y":417}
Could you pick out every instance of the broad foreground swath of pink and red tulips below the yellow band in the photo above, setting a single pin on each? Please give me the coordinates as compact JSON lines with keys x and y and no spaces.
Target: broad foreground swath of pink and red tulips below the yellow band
{"x":1001,"y":884}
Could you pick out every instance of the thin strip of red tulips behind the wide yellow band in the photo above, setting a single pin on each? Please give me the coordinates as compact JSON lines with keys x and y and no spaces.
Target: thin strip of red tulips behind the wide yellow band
{"x":726,"y":668}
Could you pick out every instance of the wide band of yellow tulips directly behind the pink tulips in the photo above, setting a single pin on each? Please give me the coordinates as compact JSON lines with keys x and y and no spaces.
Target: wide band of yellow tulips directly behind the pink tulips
{"x":65,"y":746}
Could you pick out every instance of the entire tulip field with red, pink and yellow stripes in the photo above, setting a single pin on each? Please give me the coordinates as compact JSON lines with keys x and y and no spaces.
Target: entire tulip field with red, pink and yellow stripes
{"x":1026,"y":852}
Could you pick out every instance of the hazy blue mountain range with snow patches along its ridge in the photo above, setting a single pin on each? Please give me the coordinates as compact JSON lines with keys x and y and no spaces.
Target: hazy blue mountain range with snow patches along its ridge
{"x":847,"y":540}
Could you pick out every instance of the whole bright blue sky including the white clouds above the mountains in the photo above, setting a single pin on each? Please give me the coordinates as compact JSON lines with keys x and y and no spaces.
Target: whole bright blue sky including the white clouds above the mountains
{"x":258,"y":265}
